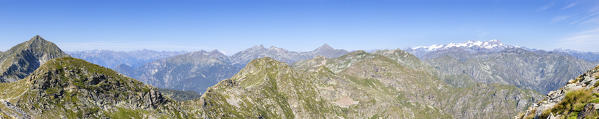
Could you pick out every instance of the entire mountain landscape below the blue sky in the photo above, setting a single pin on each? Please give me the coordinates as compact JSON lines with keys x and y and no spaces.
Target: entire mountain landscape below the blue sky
{"x":455,"y":82}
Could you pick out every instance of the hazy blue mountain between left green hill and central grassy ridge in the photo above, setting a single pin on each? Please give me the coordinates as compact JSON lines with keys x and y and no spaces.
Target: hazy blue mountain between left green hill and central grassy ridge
{"x":193,"y":71}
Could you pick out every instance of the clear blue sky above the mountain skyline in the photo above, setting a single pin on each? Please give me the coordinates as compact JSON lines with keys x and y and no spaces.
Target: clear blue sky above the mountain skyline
{"x":233,"y":25}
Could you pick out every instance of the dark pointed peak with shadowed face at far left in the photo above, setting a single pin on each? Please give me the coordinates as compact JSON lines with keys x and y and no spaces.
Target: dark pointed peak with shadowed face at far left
{"x":21,"y":60}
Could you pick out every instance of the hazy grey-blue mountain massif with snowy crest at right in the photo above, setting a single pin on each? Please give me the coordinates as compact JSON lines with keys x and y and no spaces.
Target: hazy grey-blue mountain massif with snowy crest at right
{"x":494,"y":62}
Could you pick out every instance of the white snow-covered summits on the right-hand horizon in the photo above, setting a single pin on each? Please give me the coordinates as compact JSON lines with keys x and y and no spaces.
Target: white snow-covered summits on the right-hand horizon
{"x":475,"y":45}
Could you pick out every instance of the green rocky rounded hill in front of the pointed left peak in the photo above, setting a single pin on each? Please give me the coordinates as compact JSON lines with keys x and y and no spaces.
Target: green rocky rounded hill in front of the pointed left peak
{"x":73,"y":88}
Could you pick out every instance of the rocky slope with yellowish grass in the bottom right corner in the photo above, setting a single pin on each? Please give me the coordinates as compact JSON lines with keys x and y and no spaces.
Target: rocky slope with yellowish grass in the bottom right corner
{"x":578,"y":99}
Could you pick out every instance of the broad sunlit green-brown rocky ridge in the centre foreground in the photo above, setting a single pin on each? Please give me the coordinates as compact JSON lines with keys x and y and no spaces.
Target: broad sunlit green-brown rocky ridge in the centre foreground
{"x":355,"y":85}
